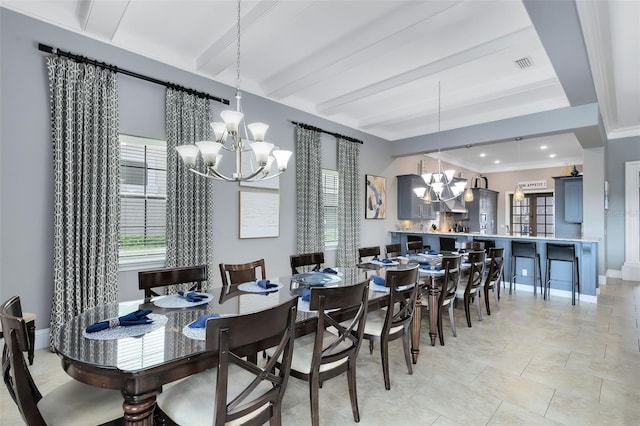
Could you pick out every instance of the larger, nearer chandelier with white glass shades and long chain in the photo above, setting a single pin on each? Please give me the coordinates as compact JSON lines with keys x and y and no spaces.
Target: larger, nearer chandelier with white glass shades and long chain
{"x":228,"y":138}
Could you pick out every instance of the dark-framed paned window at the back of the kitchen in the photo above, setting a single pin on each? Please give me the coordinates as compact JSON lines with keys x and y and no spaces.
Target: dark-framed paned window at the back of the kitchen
{"x":533,"y":216}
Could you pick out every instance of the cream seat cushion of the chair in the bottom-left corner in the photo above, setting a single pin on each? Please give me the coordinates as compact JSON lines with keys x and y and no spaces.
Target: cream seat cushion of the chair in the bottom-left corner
{"x":77,"y":404}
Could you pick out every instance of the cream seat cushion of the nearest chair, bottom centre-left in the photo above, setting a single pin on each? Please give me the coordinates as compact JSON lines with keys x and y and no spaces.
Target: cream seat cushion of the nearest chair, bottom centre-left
{"x":192,"y":401}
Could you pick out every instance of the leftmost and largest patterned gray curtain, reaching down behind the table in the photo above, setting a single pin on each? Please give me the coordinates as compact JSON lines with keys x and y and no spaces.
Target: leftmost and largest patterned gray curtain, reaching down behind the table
{"x":86,"y":208}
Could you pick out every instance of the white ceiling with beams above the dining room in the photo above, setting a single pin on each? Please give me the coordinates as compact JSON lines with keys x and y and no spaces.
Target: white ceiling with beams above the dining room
{"x":376,"y":65}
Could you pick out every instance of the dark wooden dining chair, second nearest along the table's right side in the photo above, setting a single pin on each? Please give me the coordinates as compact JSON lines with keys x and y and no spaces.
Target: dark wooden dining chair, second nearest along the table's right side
{"x":323,"y":355}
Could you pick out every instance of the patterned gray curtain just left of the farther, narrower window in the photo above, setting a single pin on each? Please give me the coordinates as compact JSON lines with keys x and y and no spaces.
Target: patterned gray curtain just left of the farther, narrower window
{"x":309,"y":201}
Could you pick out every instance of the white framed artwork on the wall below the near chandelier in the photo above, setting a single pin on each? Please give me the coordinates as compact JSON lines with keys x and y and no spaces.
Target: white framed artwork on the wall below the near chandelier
{"x":259,"y":215}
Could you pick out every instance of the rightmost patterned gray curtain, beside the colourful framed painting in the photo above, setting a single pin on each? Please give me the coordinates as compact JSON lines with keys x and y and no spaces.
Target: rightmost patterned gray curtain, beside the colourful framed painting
{"x":349,"y":202}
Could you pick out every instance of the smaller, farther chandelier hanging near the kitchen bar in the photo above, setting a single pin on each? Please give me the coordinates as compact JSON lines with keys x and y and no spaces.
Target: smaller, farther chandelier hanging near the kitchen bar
{"x":443,"y":185}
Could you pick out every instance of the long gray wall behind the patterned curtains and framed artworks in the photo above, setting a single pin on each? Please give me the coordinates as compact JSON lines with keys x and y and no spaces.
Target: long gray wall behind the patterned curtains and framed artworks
{"x":26,"y":159}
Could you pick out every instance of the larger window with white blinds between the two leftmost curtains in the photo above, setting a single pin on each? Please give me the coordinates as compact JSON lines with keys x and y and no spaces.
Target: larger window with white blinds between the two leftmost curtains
{"x":143,"y":197}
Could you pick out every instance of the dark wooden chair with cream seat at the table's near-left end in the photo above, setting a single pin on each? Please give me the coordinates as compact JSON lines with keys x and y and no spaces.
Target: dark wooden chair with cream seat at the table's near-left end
{"x":73,"y":403}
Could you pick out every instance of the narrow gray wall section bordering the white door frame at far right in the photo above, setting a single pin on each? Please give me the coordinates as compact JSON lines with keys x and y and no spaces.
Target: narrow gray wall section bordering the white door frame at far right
{"x":618,"y":152}
